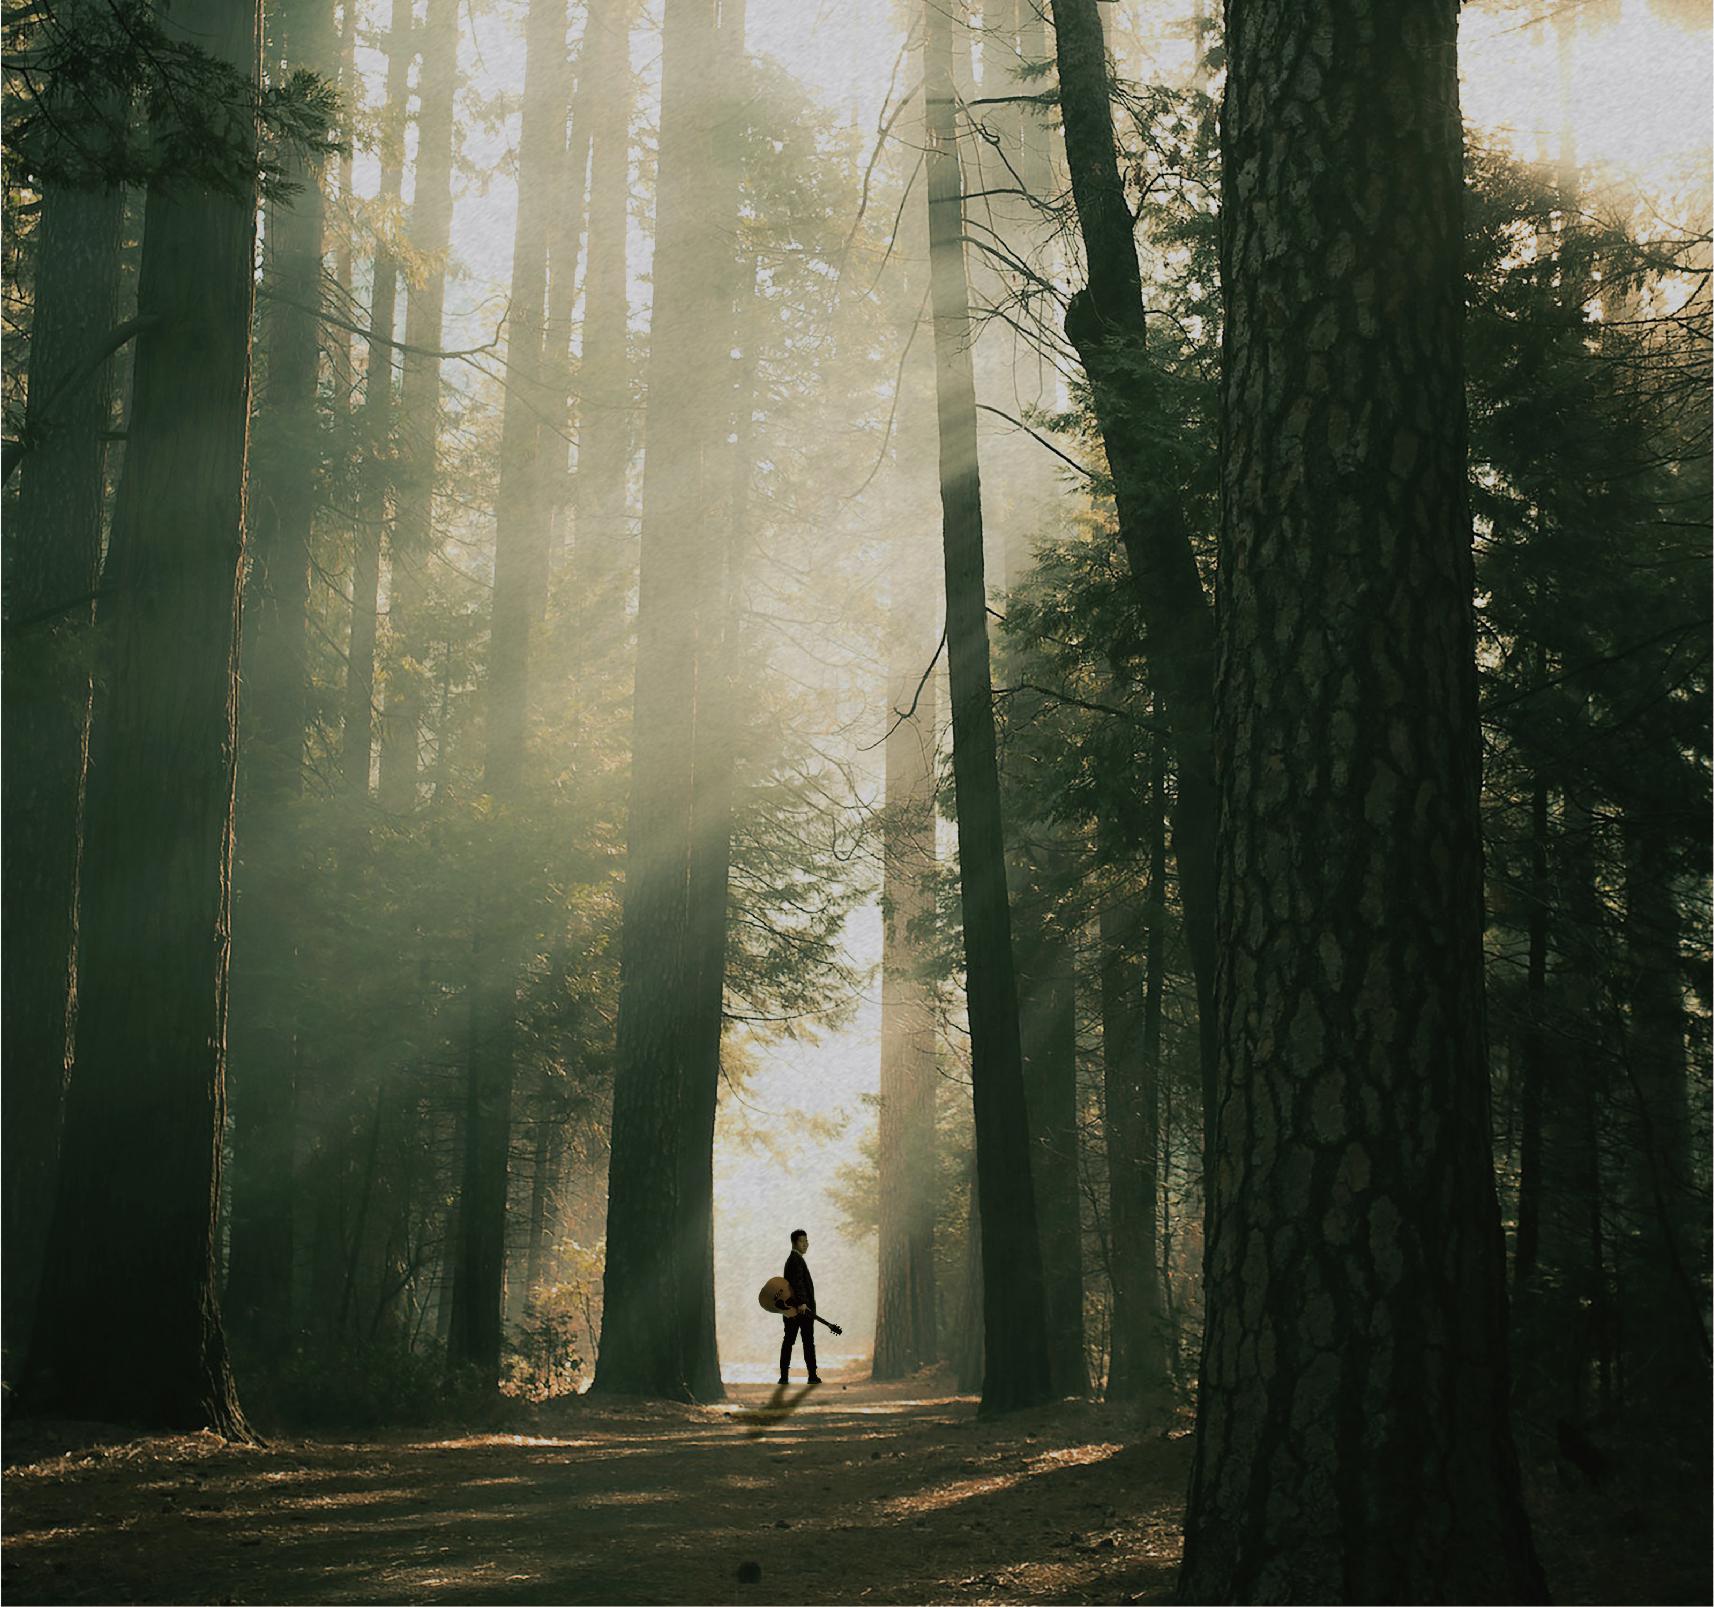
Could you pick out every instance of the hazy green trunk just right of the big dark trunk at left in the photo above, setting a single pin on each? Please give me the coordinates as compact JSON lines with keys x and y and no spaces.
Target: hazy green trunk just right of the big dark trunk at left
{"x":265,"y":1032}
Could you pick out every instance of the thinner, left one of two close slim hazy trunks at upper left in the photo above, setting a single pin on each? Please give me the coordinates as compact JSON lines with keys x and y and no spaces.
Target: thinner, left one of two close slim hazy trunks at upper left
{"x":378,"y":429}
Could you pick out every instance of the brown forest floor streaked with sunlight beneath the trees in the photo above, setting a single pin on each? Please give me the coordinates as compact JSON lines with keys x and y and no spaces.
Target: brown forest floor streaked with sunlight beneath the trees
{"x":846,"y":1493}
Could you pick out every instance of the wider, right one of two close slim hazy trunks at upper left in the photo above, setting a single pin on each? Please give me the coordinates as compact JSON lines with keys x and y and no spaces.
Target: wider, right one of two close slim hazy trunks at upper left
{"x":431,"y":232}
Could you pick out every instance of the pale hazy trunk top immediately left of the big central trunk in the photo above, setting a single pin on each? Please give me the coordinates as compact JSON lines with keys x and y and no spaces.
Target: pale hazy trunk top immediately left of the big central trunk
{"x":602,"y":558}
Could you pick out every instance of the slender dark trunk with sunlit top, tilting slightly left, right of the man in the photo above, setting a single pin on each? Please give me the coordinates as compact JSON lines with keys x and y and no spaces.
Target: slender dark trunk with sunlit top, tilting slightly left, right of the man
{"x":1014,"y":1317}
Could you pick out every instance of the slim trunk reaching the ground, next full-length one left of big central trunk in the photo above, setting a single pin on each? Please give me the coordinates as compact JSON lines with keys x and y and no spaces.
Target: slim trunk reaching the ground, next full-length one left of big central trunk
{"x":520,"y":582}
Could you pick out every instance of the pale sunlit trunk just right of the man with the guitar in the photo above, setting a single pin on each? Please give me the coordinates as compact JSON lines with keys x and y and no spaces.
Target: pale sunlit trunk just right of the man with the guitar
{"x":906,"y":1323}
